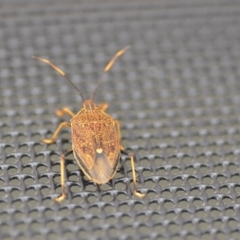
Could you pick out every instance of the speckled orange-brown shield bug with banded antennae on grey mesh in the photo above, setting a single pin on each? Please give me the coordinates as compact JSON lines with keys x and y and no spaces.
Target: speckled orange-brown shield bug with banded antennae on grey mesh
{"x":96,"y":137}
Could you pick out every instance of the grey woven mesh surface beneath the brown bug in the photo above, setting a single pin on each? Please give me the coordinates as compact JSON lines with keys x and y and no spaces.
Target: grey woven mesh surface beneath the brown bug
{"x":176,"y":94}
